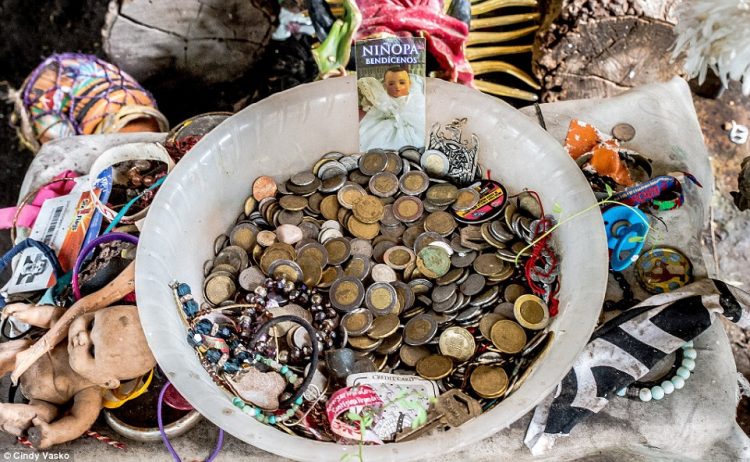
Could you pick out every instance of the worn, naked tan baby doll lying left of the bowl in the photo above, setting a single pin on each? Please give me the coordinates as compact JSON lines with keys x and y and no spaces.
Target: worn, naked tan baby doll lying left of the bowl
{"x":103,"y":348}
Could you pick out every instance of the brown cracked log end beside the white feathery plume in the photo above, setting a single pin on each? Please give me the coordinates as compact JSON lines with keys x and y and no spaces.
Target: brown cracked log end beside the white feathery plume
{"x":598,"y":49}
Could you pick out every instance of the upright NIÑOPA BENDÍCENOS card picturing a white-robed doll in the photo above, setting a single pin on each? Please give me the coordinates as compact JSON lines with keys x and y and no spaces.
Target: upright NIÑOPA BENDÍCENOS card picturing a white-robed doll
{"x":391,"y":92}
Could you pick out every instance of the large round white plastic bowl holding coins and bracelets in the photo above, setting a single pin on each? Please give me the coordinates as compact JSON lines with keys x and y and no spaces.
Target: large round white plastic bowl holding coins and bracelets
{"x":285,"y":134}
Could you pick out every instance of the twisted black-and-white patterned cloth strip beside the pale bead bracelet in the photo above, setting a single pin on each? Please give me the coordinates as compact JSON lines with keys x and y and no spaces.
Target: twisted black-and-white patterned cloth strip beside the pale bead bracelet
{"x":625,"y":348}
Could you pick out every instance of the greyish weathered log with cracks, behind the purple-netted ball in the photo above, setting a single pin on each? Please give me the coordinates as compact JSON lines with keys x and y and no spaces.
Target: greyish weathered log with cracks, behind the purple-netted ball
{"x":208,"y":40}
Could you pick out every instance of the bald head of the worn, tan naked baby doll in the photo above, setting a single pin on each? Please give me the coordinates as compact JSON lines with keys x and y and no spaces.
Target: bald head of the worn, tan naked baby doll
{"x":108,"y":346}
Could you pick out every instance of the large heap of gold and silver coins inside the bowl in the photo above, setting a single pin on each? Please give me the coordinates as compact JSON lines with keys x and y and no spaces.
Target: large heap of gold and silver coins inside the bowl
{"x":422,"y":276}
